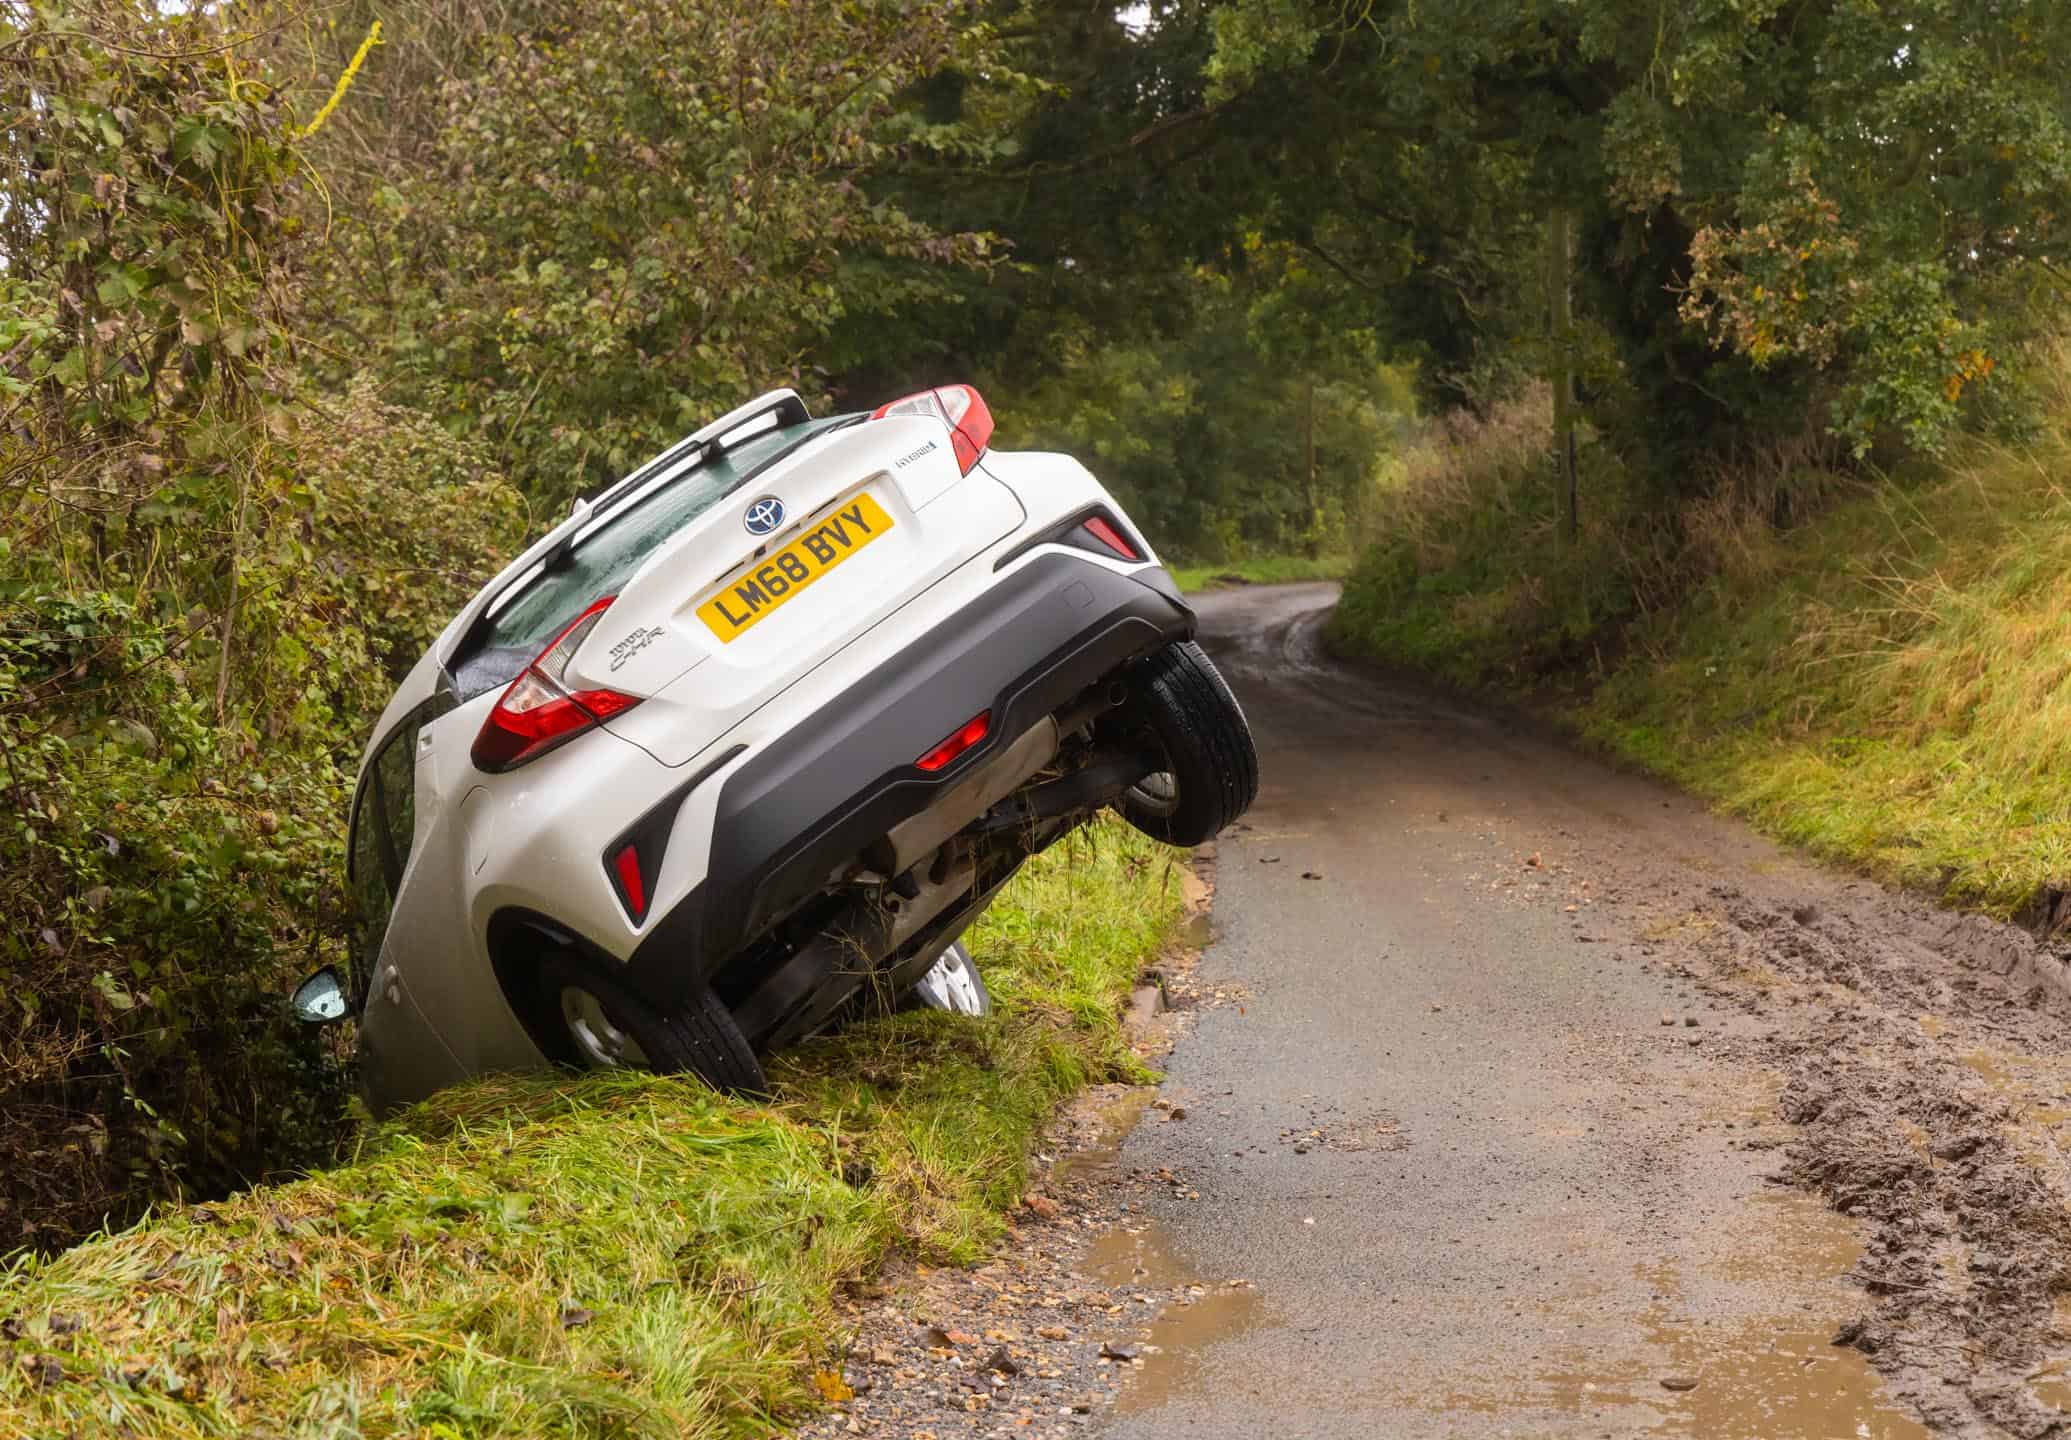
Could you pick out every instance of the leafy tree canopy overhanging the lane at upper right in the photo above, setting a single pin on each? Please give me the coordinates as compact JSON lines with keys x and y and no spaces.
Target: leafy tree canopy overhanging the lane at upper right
{"x":1782,"y":206}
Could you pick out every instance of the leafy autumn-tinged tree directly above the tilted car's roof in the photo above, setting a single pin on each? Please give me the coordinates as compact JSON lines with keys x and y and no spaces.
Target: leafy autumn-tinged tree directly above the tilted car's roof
{"x":624,"y":219}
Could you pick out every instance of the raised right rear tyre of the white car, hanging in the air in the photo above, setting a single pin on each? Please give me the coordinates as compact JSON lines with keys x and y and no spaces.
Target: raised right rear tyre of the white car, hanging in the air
{"x":1210,"y":768}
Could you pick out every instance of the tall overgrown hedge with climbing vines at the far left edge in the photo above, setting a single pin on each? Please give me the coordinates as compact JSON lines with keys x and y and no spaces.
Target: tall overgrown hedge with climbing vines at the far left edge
{"x":208,"y":573}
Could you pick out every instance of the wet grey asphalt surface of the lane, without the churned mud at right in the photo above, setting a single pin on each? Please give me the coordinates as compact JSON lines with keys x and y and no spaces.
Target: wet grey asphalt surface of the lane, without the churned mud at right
{"x":1449,"y":1124}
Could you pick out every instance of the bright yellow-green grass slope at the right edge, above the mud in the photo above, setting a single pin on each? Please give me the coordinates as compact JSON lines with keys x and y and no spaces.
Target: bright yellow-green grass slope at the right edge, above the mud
{"x":1888,"y":687}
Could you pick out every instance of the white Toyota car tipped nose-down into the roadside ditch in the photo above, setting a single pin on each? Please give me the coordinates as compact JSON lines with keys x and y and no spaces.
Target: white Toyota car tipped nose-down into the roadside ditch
{"x":753,"y":737}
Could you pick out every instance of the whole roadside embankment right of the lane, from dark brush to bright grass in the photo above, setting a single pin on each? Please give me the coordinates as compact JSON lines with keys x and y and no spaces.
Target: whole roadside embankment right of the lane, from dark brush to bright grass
{"x":1884,"y":683}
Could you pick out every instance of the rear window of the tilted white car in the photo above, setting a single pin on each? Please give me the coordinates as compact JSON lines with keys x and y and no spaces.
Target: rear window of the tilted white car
{"x":606,"y":556}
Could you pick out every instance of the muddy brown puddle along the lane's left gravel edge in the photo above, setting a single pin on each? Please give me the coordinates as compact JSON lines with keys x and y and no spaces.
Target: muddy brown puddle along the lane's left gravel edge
{"x":1179,"y":1337}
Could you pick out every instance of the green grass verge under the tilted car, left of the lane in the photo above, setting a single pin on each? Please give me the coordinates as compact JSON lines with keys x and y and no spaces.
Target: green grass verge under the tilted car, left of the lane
{"x":600,"y":1257}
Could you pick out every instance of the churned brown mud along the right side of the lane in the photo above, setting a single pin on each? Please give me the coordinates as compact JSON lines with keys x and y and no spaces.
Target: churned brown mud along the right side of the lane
{"x":1929,"y":1076}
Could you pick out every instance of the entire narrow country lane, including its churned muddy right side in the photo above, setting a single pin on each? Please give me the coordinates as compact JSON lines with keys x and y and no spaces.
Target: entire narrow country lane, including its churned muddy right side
{"x":1532,"y":1089}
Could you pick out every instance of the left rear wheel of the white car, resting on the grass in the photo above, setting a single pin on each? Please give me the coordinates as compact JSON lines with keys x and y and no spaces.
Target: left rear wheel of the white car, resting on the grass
{"x":608,"y":1027}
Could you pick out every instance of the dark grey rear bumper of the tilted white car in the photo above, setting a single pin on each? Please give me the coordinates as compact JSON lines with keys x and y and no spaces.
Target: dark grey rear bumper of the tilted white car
{"x":842,"y":778}
